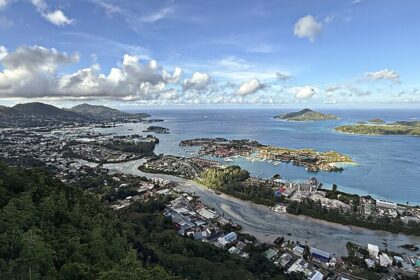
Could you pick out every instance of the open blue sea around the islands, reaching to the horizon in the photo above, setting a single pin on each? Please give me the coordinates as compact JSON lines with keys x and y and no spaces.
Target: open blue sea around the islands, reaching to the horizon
{"x":388,"y":166}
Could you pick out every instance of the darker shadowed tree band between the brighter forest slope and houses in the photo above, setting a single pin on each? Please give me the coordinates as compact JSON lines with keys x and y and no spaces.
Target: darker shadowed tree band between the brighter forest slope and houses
{"x":190,"y":258}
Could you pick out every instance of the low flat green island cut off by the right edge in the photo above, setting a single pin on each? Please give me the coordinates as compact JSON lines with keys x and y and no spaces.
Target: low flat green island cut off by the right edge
{"x":396,"y":128}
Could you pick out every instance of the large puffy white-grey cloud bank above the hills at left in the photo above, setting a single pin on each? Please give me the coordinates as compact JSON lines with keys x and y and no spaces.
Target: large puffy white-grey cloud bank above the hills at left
{"x":33,"y":72}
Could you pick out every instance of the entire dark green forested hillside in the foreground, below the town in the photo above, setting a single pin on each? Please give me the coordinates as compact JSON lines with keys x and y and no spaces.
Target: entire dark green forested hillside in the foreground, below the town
{"x":49,"y":230}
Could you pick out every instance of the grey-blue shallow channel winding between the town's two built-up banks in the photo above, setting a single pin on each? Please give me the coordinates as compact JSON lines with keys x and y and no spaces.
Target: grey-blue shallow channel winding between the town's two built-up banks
{"x":266,"y":225}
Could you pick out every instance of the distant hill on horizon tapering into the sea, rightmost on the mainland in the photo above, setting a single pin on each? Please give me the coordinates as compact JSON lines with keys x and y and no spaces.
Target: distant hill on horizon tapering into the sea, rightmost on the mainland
{"x":105,"y":113}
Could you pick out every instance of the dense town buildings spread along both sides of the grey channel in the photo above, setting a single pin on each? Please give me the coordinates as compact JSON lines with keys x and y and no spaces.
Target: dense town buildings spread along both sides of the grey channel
{"x":75,"y":153}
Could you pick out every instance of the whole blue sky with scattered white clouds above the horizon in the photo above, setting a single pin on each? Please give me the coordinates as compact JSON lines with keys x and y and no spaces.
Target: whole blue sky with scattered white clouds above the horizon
{"x":345,"y":53}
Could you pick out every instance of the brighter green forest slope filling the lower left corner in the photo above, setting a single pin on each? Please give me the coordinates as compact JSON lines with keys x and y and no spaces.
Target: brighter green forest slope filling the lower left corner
{"x":49,"y":230}
